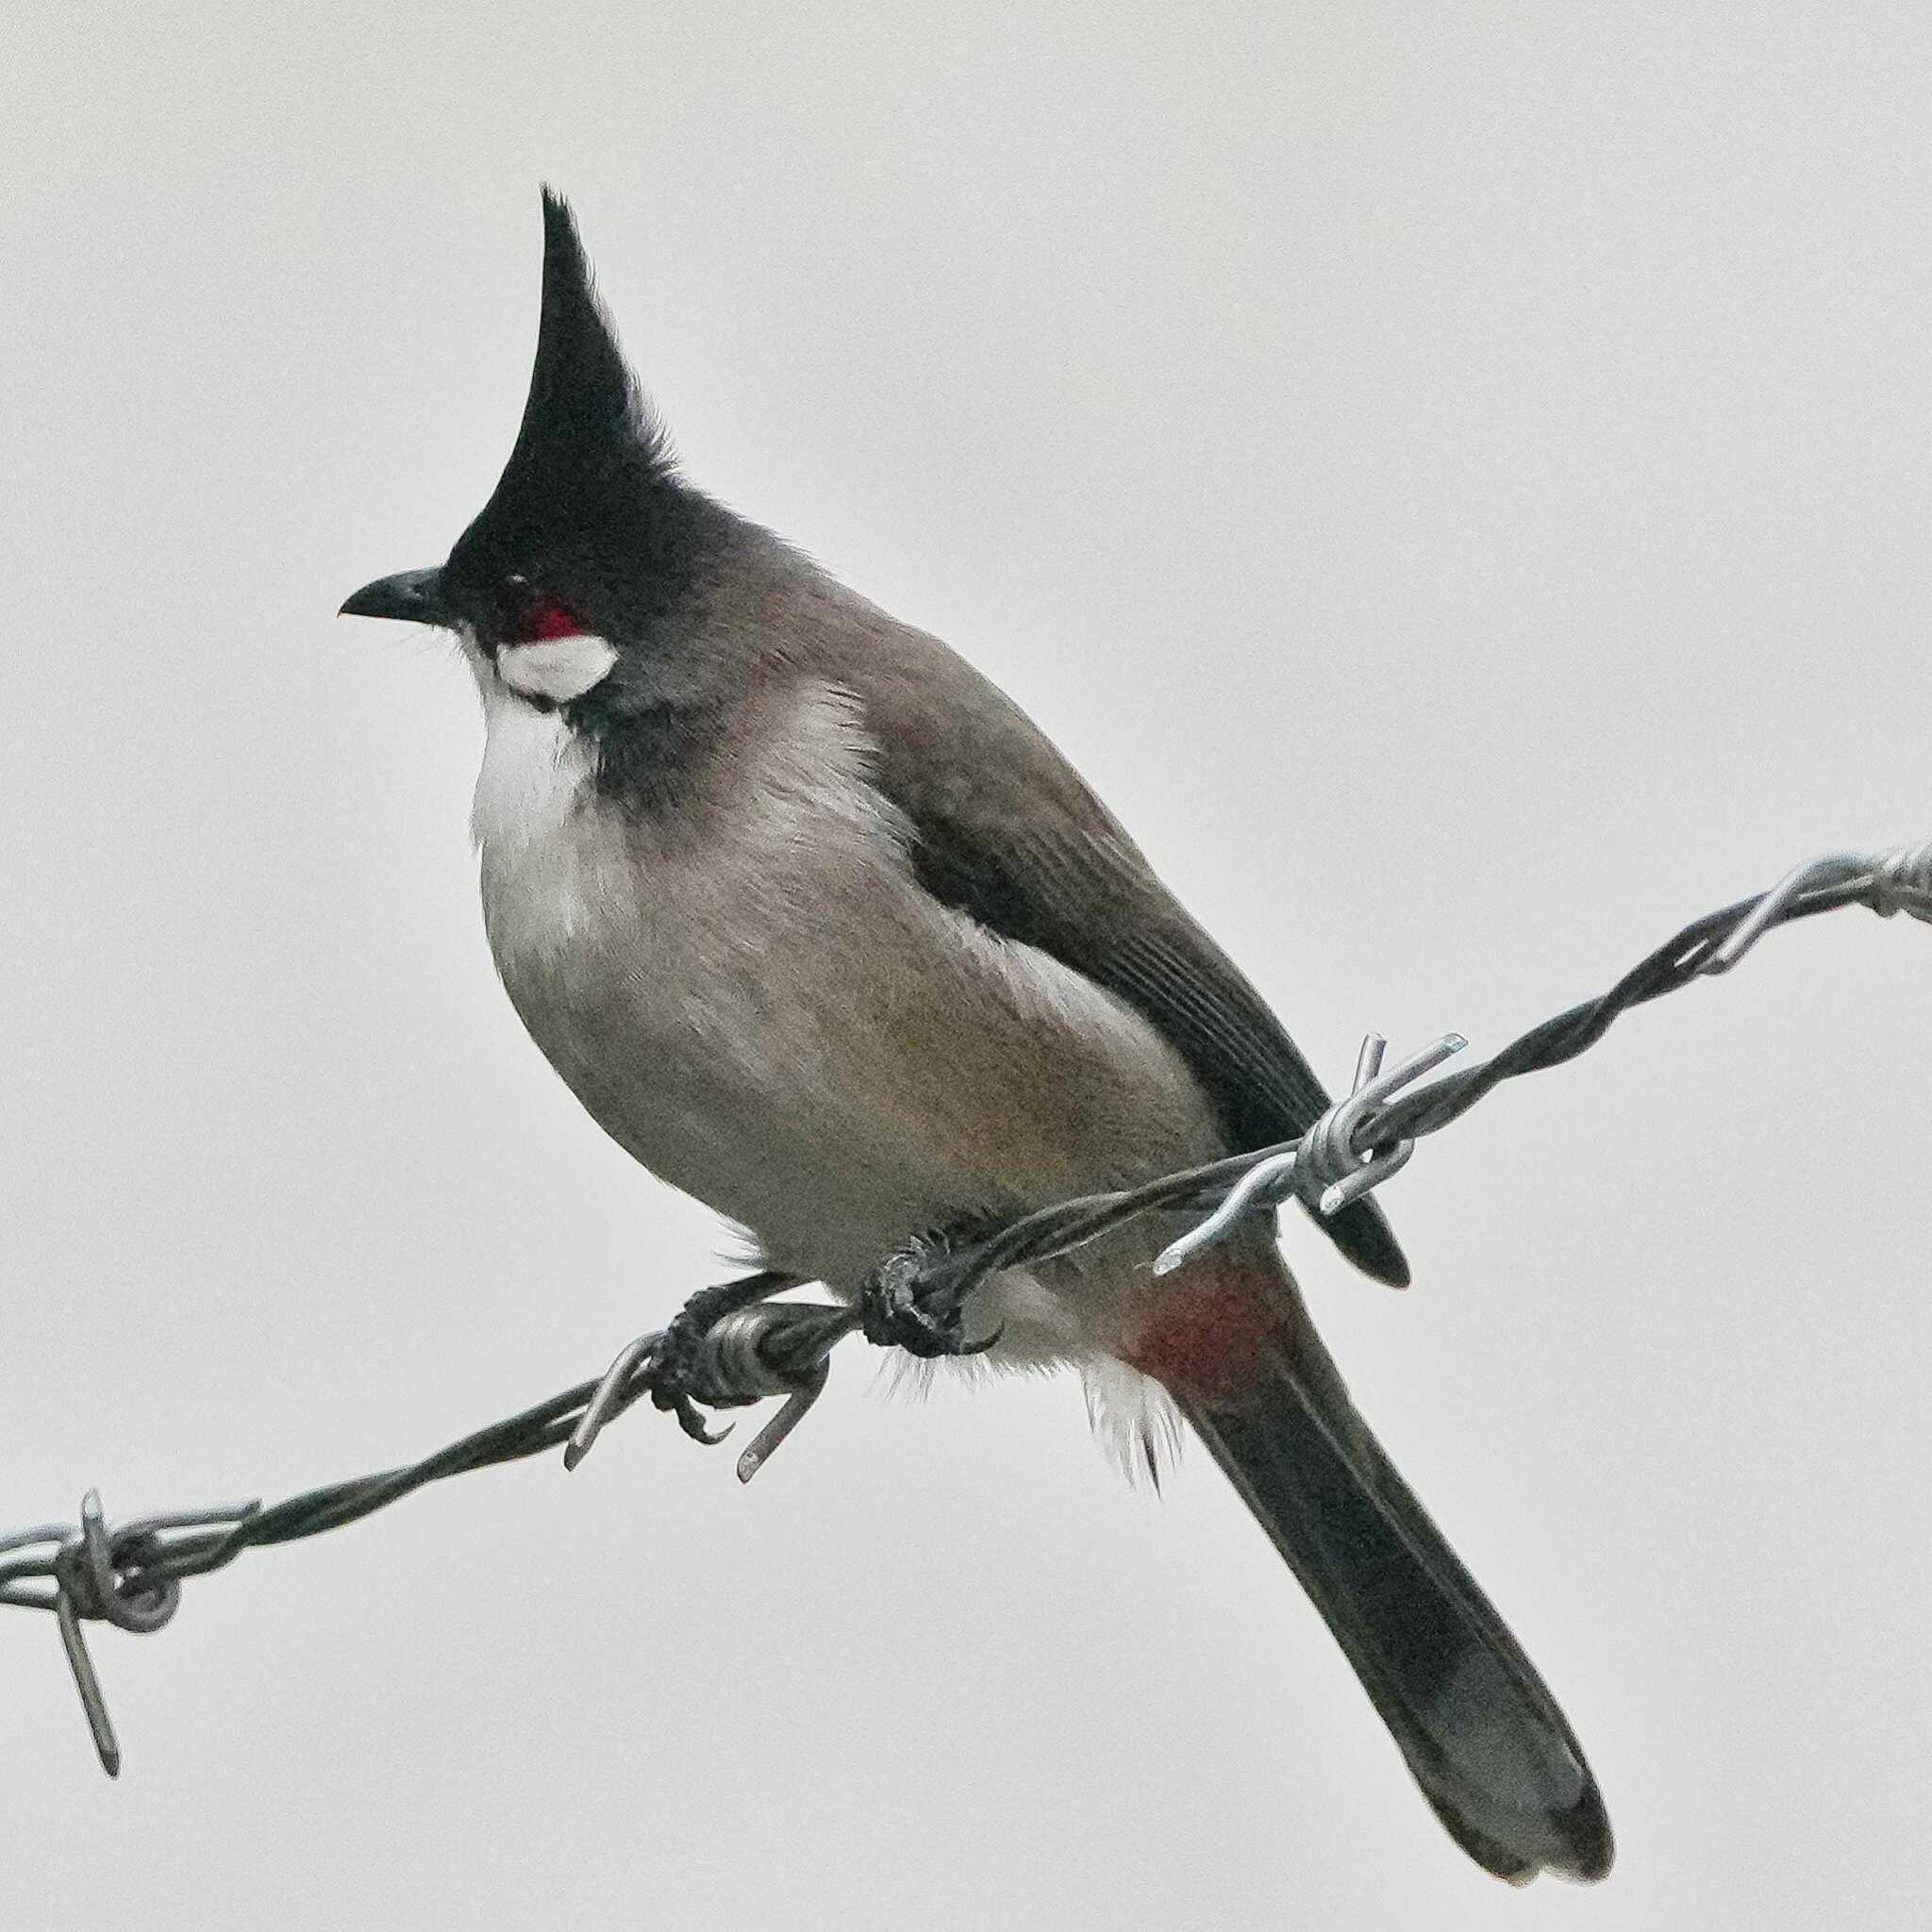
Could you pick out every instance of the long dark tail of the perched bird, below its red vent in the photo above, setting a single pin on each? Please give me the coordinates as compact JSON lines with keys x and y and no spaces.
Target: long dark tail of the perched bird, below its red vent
{"x":1479,"y":1728}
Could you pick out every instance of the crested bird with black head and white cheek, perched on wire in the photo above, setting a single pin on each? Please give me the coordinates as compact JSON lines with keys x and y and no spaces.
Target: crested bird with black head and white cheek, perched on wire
{"x":828,"y":934}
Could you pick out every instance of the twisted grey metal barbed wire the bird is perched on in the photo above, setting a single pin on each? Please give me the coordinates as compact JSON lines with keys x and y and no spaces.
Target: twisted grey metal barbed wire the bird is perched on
{"x":735,"y":1346}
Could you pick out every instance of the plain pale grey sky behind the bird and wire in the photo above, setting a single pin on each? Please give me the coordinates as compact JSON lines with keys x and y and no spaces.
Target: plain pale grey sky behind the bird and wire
{"x":1458,"y":482}
